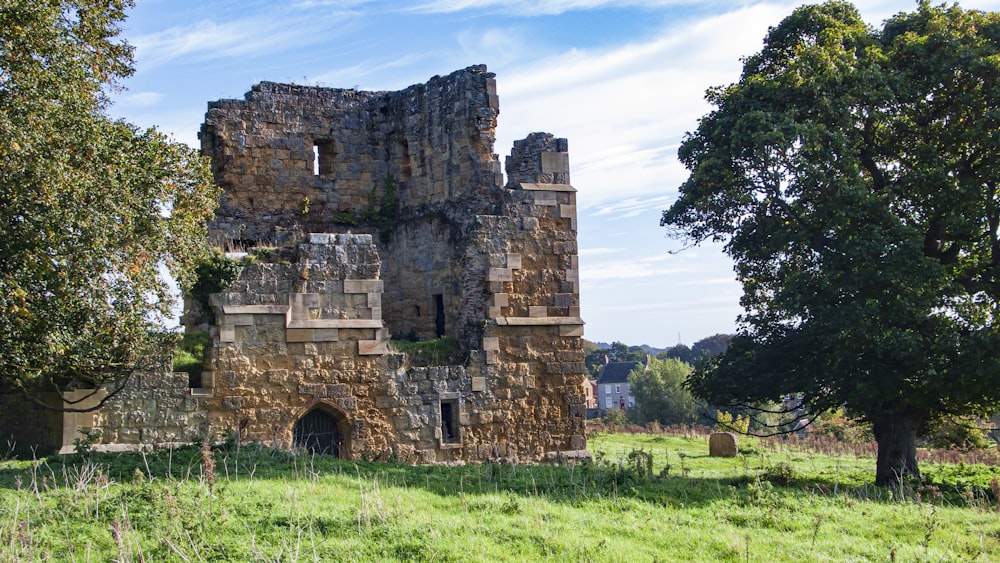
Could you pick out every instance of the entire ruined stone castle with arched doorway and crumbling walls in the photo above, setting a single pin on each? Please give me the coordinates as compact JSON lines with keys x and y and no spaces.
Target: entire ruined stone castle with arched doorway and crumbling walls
{"x":373,"y":217}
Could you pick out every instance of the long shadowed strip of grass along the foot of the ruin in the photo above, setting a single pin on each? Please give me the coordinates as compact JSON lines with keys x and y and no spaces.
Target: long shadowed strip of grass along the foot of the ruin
{"x":571,"y":483}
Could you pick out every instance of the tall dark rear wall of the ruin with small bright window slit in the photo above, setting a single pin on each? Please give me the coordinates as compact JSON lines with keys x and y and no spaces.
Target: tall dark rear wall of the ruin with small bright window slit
{"x":435,"y":142}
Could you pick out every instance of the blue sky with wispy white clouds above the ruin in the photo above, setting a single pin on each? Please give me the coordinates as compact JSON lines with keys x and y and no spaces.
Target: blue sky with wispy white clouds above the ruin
{"x":622,"y":80}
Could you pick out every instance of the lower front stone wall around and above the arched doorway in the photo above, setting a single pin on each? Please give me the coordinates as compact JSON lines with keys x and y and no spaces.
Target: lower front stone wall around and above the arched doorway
{"x":293,"y":337}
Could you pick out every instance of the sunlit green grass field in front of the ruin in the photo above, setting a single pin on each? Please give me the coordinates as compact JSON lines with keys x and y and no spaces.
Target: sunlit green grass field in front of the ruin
{"x":645,"y":497}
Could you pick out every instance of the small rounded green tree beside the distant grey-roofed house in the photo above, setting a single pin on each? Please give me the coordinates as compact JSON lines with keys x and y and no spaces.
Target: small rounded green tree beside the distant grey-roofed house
{"x":660,"y":394}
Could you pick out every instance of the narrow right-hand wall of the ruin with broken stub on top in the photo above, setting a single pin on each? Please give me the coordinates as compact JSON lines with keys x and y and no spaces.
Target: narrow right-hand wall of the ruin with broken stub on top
{"x":535,"y":296}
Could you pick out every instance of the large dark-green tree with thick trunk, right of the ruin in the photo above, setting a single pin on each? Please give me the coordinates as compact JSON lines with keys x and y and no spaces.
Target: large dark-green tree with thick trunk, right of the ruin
{"x":852,"y":174}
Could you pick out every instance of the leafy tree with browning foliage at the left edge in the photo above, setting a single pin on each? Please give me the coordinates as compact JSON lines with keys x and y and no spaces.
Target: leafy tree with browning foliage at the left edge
{"x":92,"y":210}
